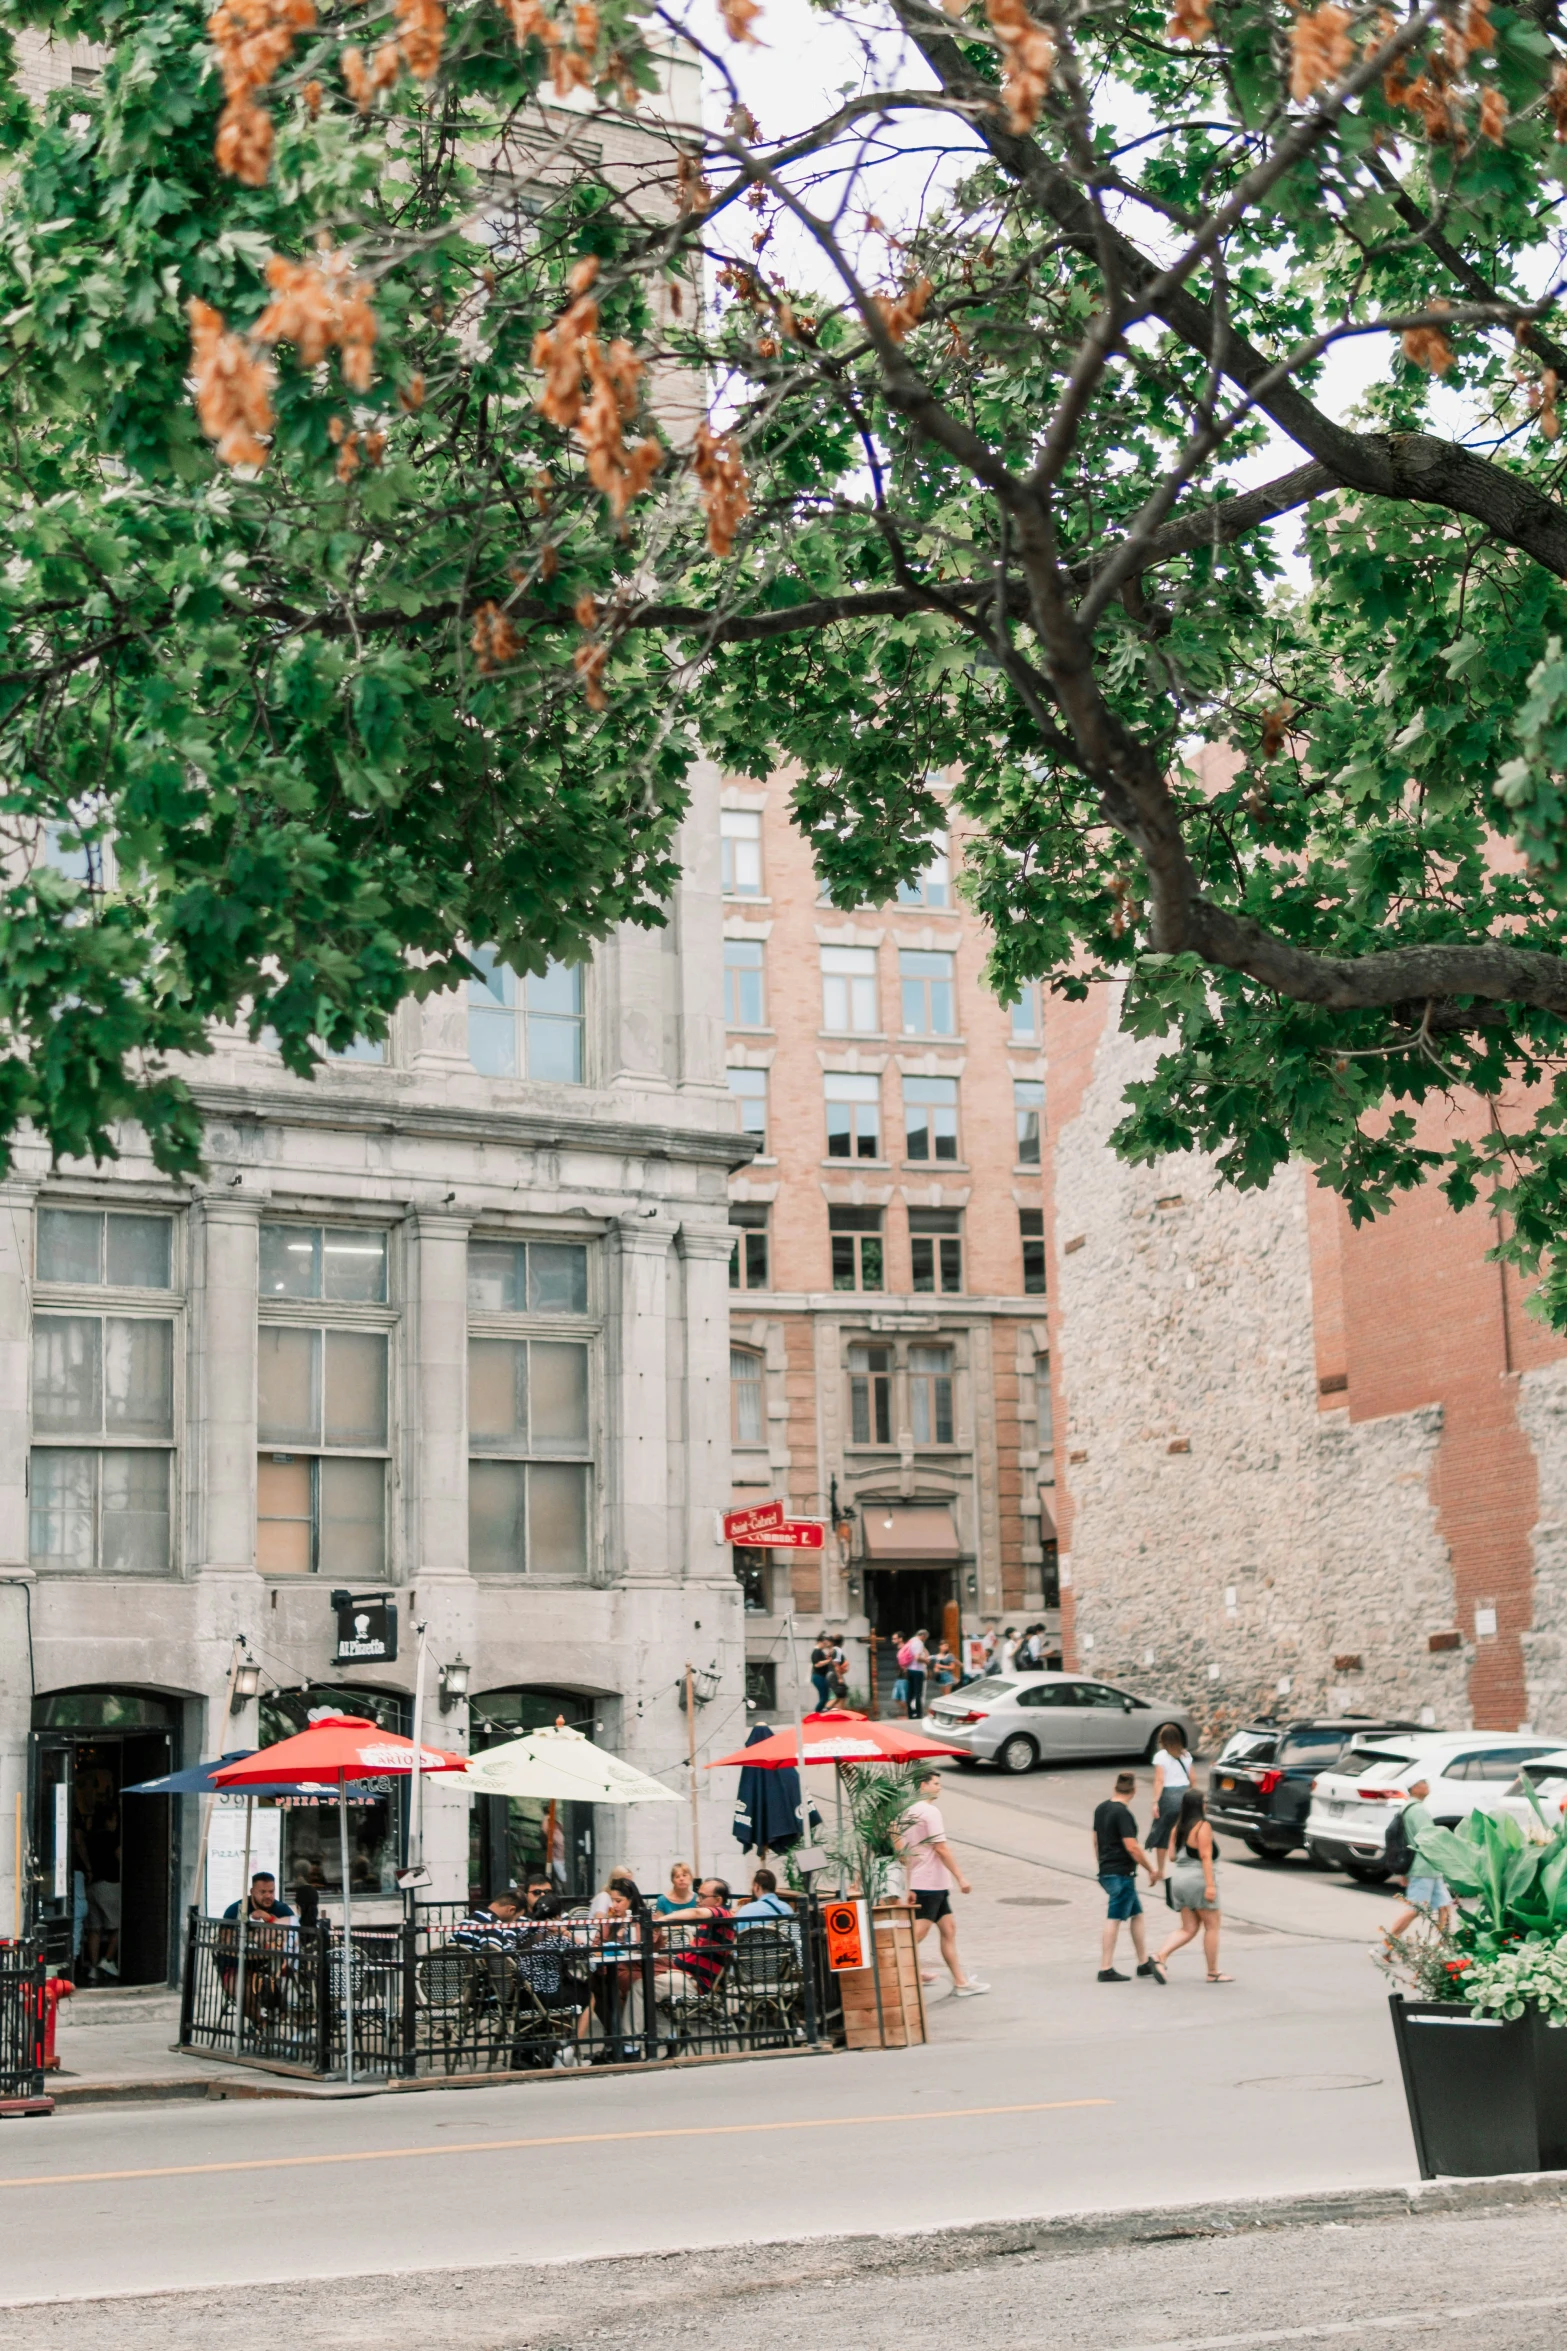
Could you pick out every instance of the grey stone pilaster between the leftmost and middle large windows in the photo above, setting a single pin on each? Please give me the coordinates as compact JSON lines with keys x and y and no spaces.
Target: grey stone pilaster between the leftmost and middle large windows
{"x":222,"y":1468}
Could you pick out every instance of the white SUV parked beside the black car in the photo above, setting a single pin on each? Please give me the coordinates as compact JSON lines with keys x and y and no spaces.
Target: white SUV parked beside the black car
{"x":1354,"y":1804}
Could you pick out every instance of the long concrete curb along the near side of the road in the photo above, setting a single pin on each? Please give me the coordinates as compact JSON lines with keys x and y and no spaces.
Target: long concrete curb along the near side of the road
{"x":767,"y":2265}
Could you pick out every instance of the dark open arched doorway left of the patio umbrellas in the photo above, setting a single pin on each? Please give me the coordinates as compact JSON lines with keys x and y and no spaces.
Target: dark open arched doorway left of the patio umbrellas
{"x":105,"y":1863}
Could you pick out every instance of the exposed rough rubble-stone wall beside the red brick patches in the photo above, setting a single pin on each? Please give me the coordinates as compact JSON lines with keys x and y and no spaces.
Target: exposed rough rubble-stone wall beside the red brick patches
{"x":1228,"y":1532}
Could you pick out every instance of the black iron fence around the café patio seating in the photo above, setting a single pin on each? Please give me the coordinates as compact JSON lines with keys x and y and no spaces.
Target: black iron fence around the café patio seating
{"x":452,"y":1997}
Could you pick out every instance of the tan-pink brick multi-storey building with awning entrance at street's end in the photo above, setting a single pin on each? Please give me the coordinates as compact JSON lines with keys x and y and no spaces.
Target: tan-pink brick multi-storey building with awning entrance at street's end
{"x":889,"y":1353}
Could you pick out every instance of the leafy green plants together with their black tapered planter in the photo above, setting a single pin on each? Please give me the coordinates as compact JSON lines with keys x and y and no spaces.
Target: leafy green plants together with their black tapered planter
{"x":1481,"y":2014}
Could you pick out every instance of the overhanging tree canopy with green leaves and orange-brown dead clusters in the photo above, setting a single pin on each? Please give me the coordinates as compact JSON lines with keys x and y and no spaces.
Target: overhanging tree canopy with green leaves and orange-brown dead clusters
{"x":412,"y":624}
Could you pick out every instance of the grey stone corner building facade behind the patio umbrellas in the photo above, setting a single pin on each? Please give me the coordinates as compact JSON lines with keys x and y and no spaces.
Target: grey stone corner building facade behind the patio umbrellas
{"x":445,"y":1325}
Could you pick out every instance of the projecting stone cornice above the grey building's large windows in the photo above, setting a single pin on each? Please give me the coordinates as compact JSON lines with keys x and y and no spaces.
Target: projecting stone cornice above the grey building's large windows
{"x":448,"y":1123}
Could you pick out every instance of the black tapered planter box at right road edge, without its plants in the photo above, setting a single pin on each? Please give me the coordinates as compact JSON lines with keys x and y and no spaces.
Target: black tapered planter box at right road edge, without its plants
{"x":1486,"y":2094}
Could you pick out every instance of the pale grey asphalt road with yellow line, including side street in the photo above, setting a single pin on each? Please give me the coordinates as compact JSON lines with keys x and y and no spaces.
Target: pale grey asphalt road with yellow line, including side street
{"x":1049,"y":2096}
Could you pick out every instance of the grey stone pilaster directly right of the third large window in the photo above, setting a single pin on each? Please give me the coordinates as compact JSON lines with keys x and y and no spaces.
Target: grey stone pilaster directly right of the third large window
{"x":635,"y":1435}
